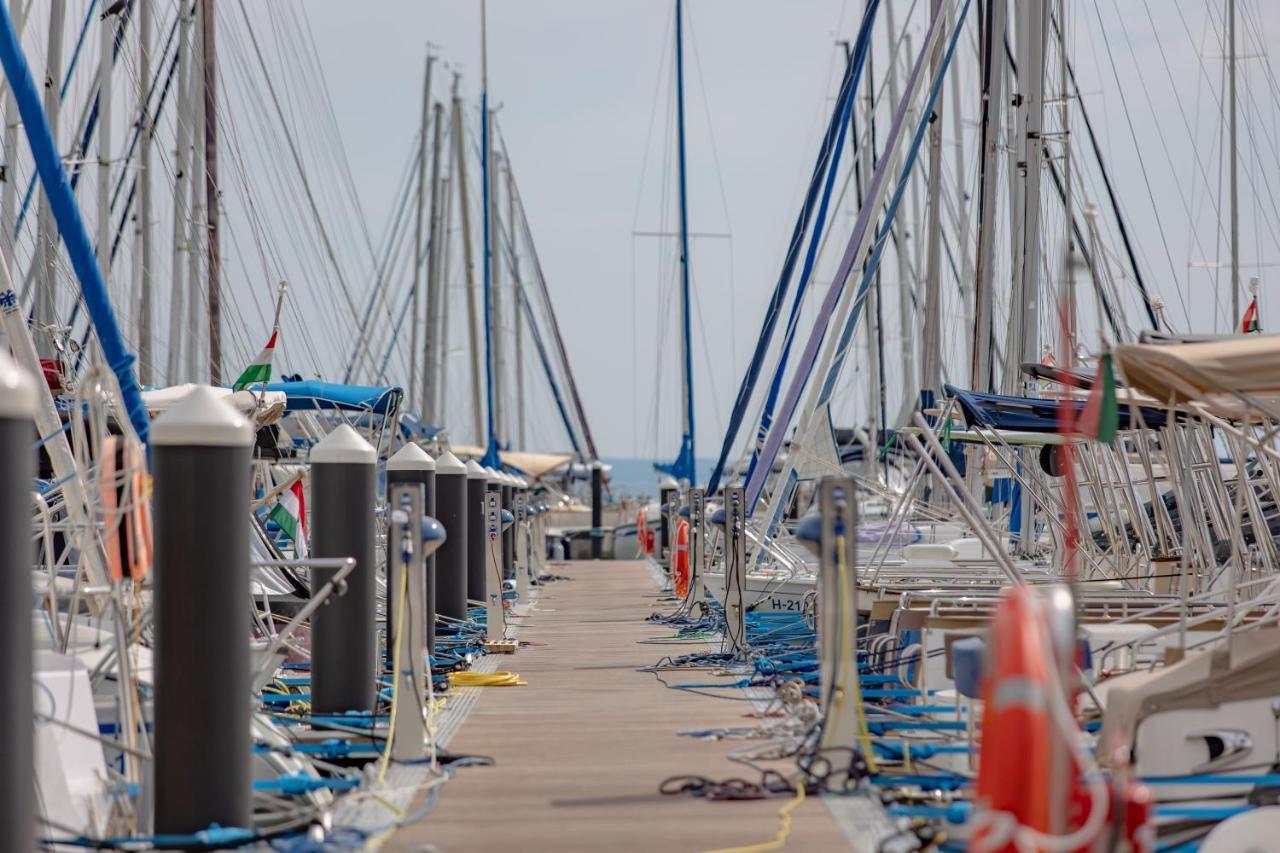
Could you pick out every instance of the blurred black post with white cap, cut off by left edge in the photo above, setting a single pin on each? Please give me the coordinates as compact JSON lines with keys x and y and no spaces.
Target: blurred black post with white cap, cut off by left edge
{"x":17,"y":729}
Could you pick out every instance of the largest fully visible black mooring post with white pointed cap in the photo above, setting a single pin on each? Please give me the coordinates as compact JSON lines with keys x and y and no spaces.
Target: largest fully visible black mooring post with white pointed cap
{"x":203,"y":743}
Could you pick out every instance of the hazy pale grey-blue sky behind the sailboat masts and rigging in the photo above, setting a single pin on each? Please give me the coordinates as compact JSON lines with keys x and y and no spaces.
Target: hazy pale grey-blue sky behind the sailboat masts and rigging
{"x":584,"y":95}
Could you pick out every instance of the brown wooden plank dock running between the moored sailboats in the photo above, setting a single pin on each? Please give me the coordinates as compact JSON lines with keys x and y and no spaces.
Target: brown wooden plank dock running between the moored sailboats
{"x":582,"y":750}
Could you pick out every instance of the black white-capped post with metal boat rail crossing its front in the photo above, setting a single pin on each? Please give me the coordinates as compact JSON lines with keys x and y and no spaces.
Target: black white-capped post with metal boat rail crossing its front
{"x":345,"y":632}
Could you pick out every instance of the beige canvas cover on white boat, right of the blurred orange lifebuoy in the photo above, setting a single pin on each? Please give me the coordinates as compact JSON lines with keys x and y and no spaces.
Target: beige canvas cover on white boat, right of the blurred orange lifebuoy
{"x":1246,"y":670}
